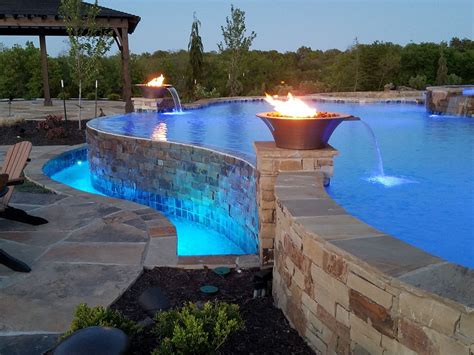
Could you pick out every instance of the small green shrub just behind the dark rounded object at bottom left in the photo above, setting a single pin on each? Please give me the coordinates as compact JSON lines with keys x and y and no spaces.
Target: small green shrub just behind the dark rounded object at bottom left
{"x":86,"y":316}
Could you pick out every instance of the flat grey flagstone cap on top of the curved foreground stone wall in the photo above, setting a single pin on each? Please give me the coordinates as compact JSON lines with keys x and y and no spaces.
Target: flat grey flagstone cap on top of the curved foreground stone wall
{"x":313,"y":211}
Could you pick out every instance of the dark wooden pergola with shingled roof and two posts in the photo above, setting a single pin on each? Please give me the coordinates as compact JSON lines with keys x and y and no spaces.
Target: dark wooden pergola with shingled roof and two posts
{"x":41,"y":18}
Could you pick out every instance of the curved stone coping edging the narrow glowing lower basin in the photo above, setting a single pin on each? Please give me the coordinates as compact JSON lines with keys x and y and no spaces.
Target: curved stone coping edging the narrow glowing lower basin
{"x":158,"y":252}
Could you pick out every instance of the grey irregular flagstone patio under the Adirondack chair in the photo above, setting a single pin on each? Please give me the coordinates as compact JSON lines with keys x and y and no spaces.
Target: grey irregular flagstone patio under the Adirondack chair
{"x":91,"y":251}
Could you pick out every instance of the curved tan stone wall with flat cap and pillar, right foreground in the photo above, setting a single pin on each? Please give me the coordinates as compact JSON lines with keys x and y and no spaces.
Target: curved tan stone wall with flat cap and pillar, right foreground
{"x":347,"y":287}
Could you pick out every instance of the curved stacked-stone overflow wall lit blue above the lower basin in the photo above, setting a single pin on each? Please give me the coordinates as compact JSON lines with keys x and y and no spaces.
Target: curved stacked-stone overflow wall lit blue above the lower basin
{"x":201,"y":185}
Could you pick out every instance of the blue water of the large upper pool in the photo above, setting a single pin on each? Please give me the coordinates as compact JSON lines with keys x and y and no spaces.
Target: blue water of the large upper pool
{"x":426,"y":197}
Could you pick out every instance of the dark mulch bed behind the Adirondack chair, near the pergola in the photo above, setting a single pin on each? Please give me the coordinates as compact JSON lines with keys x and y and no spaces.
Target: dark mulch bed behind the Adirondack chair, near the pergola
{"x":27,"y":130}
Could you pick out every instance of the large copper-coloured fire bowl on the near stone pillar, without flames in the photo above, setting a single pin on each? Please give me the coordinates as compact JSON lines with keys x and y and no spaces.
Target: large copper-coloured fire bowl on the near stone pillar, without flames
{"x":303,"y":132}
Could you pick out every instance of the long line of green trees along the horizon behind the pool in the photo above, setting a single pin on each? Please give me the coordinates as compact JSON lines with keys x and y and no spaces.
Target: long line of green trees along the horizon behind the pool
{"x":235,"y":69}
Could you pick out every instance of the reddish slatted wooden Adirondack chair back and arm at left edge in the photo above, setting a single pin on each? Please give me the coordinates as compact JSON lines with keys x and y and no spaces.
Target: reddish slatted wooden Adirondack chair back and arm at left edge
{"x":15,"y":161}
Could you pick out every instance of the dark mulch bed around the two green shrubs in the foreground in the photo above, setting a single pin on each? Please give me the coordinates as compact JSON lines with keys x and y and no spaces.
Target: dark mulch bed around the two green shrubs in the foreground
{"x":266,"y":329}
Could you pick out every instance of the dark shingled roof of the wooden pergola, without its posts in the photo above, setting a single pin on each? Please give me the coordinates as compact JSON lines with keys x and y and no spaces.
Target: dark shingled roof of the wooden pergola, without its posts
{"x":35,"y":17}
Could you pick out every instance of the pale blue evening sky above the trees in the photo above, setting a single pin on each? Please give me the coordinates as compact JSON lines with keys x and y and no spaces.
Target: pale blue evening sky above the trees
{"x":288,"y":25}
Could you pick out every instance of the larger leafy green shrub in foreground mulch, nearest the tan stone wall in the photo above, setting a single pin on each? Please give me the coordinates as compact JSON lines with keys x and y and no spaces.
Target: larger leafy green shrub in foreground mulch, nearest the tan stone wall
{"x":194,"y":330}
